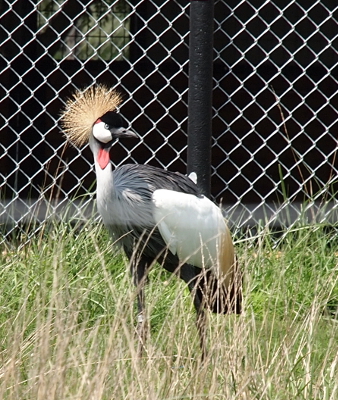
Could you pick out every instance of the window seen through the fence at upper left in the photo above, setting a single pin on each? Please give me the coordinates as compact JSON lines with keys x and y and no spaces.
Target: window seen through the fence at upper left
{"x":74,"y":30}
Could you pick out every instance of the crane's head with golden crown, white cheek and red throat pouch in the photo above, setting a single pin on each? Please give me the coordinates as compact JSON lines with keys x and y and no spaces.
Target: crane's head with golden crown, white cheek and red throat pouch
{"x":90,"y":116}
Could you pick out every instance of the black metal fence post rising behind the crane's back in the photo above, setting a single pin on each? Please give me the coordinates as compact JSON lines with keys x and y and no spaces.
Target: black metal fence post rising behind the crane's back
{"x":200,"y":91}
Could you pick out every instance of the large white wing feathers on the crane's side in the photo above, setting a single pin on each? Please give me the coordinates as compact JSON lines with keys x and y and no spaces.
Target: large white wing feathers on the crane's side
{"x":194,"y":229}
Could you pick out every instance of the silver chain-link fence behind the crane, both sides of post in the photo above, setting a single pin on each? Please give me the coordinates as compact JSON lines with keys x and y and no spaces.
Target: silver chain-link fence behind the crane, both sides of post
{"x":274,"y":102}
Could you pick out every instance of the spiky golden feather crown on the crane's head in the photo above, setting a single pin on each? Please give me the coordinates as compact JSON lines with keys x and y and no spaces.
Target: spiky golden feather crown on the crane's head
{"x":84,"y":108}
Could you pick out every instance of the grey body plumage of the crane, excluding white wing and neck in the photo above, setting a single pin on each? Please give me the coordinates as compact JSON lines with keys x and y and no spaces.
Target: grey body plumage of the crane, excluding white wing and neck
{"x":127,"y":207}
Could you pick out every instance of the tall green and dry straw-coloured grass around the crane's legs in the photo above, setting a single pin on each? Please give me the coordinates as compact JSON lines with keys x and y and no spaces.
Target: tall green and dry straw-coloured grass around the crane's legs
{"x":67,"y":323}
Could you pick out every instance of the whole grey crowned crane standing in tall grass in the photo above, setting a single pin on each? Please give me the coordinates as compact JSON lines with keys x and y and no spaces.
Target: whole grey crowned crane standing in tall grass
{"x":156,"y":215}
